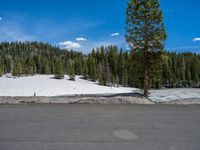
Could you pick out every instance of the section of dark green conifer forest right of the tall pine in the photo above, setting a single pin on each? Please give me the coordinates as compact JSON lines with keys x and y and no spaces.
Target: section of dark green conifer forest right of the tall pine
{"x":181,"y":70}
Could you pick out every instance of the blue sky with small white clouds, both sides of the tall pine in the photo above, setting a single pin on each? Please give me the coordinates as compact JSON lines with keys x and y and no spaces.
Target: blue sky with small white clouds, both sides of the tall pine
{"x":82,"y":25}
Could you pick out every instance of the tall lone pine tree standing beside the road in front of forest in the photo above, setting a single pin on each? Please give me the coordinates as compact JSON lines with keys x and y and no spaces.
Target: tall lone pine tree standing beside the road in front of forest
{"x":145,"y":35}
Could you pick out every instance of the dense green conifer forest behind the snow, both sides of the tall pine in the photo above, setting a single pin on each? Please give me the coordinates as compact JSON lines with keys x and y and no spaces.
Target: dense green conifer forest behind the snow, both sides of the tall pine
{"x":109,"y":65}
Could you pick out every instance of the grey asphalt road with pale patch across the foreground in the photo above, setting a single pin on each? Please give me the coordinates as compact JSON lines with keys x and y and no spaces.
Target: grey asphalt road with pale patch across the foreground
{"x":99,"y":127}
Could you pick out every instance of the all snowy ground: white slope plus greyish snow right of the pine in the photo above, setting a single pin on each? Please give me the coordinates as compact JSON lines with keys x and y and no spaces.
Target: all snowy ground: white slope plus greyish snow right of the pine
{"x":46,"y":85}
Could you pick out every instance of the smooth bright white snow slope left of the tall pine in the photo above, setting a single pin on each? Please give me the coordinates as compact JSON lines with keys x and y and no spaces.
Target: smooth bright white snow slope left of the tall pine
{"x":45,"y":85}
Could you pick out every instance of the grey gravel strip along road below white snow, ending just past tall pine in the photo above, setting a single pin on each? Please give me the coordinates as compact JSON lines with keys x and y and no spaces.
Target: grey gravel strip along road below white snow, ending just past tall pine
{"x":80,"y":99}
